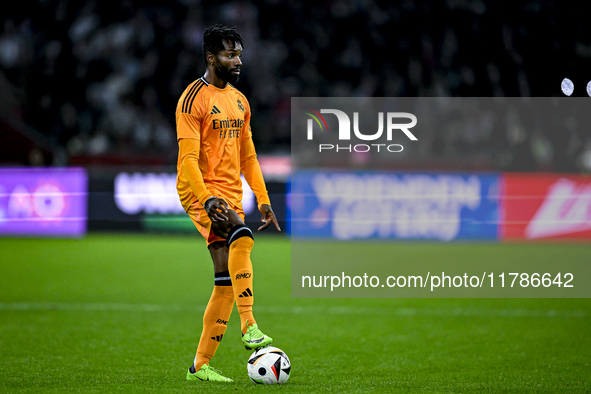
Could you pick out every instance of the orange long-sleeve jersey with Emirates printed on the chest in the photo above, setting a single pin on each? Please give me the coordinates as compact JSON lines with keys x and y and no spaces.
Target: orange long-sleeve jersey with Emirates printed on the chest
{"x":215,"y":146}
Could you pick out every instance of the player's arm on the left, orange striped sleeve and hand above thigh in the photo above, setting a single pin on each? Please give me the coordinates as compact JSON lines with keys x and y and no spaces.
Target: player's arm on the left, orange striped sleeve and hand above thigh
{"x":189,"y":139}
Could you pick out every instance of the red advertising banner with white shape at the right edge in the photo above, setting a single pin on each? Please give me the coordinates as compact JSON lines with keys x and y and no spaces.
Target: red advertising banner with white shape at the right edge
{"x":545,"y":206}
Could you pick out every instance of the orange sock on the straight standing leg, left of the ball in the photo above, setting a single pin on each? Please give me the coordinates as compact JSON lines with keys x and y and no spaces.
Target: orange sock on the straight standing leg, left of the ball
{"x":215,"y":319}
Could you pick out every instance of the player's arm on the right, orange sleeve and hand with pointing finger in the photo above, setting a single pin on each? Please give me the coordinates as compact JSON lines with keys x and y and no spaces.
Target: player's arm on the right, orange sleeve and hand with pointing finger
{"x":251,"y":169}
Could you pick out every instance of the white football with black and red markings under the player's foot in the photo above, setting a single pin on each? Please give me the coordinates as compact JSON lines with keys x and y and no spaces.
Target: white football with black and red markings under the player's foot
{"x":268,"y":365}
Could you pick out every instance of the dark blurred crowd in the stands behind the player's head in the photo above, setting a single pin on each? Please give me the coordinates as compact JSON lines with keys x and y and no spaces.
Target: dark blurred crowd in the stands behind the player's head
{"x":102,"y":78}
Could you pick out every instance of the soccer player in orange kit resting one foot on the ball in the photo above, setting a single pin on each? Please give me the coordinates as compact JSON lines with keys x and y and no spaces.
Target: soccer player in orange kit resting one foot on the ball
{"x":215,"y":147}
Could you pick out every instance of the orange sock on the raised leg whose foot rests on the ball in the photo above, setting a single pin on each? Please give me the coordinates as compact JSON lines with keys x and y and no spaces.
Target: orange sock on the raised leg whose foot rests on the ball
{"x":240,"y":268}
